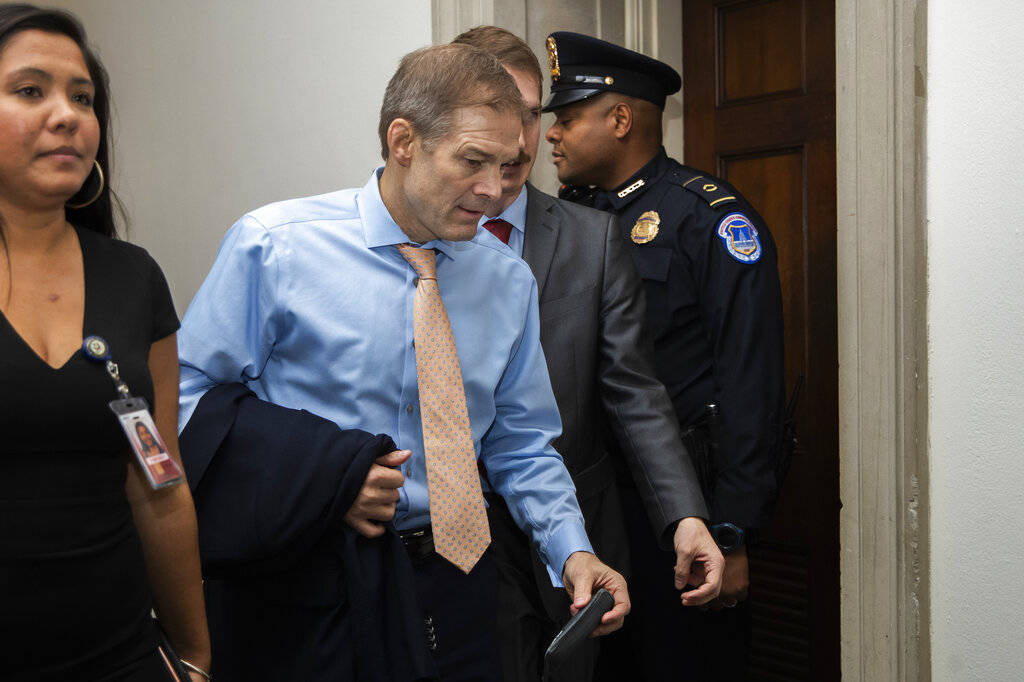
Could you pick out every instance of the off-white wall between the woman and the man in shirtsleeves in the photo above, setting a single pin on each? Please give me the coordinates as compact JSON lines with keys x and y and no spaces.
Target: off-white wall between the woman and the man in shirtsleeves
{"x":223,"y":107}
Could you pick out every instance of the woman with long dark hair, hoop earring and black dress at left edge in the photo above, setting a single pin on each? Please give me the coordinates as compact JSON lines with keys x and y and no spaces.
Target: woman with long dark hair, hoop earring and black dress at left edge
{"x":88,"y":547}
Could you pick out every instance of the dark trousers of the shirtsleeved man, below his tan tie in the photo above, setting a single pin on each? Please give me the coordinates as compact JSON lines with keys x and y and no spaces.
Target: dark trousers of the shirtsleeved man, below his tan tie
{"x":460,"y":614}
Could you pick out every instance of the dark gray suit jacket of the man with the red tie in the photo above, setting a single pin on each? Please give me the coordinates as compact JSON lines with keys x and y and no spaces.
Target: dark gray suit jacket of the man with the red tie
{"x":592,"y":313}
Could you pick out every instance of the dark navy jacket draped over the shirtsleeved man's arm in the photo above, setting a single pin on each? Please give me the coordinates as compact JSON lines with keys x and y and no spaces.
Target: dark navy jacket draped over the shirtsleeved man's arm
{"x":293,"y":592}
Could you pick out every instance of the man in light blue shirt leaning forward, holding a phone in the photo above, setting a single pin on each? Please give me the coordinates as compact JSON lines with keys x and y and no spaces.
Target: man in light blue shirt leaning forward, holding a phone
{"x":311,"y":305}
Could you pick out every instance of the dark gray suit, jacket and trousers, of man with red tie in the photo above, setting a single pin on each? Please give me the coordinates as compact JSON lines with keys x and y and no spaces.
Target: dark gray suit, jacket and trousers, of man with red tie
{"x":616,"y":416}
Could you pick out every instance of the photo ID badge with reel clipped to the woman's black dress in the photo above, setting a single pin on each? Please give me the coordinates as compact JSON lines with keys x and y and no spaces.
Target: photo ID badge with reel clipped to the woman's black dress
{"x":151,"y":452}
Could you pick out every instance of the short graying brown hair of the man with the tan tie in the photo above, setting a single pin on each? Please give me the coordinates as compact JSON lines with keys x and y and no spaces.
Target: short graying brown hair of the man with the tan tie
{"x":434,"y":82}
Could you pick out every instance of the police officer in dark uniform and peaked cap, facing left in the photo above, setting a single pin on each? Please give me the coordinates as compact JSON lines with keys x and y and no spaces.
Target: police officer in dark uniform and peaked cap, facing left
{"x":714,"y":309}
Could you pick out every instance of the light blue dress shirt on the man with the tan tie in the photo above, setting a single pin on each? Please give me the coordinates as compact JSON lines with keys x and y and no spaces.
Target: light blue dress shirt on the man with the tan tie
{"x":311,"y":305}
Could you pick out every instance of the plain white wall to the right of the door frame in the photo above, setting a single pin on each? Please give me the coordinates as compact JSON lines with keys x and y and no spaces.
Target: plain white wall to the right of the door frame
{"x":976,"y":338}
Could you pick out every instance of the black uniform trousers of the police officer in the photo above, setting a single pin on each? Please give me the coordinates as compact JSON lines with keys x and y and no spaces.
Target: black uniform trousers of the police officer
{"x":662,"y":640}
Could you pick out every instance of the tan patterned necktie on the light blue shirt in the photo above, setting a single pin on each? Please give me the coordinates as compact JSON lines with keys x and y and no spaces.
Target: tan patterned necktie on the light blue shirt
{"x":457,"y":514}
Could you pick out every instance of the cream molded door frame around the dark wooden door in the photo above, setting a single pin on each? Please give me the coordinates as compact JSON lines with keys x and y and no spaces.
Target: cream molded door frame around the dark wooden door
{"x":881,"y":60}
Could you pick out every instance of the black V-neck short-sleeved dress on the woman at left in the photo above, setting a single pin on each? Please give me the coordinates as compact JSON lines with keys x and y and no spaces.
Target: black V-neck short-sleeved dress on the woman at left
{"x":74,"y":599}
